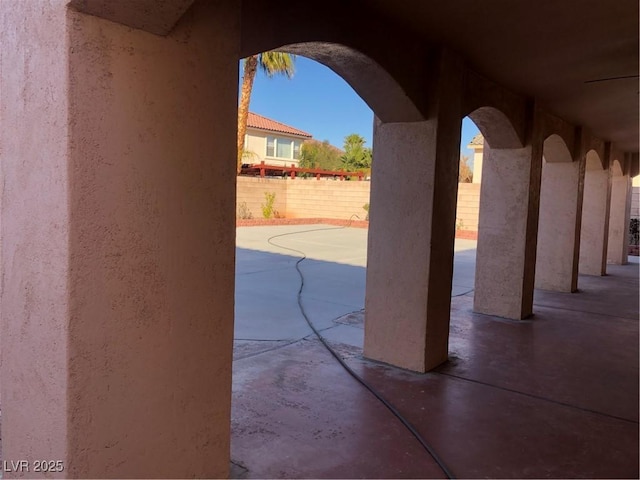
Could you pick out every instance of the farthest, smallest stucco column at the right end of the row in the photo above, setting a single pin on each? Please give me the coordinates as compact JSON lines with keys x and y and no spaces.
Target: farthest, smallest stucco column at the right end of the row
{"x":619,"y":216}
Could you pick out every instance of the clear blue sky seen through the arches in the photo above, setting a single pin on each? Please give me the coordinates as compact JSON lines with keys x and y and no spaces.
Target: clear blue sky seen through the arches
{"x":320,"y":102}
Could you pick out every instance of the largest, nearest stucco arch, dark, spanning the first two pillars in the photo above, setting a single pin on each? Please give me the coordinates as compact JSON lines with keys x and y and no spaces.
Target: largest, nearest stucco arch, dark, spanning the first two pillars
{"x":388,"y":79}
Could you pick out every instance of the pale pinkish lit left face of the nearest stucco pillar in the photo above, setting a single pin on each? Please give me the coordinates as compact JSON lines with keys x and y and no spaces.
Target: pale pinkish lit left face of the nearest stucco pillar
{"x":34,"y":301}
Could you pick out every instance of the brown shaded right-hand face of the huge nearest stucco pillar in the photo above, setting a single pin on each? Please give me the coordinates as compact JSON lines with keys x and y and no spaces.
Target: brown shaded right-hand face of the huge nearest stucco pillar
{"x":152,"y":245}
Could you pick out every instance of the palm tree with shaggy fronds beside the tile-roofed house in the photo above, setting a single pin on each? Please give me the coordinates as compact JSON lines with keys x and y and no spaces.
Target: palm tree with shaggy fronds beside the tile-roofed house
{"x":271,"y":63}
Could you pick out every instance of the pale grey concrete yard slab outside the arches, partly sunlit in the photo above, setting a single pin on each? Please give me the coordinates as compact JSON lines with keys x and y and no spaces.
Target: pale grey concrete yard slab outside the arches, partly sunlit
{"x":334,"y":270}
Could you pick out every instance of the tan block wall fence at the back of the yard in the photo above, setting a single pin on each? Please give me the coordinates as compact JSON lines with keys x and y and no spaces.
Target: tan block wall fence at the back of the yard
{"x":335,"y":199}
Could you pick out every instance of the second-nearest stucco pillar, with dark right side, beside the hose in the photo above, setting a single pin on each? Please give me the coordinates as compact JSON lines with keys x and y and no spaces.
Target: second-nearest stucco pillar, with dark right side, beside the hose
{"x":411,"y":235}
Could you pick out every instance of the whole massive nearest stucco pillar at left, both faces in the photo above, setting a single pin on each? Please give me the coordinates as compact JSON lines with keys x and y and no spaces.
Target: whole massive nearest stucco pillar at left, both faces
{"x":118,"y":162}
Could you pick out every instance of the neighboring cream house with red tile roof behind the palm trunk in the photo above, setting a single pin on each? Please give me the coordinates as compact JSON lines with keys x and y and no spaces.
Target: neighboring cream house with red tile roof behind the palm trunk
{"x":274,"y":142}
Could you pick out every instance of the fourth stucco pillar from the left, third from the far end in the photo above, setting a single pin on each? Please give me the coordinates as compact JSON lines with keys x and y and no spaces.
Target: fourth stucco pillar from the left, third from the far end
{"x":559,"y":227}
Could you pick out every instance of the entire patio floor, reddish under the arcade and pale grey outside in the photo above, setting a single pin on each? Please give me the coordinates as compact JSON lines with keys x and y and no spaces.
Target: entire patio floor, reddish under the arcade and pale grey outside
{"x":555,"y":396}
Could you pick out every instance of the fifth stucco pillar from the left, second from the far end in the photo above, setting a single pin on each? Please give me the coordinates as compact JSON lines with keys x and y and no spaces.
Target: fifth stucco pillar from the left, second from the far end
{"x":595,"y":219}
